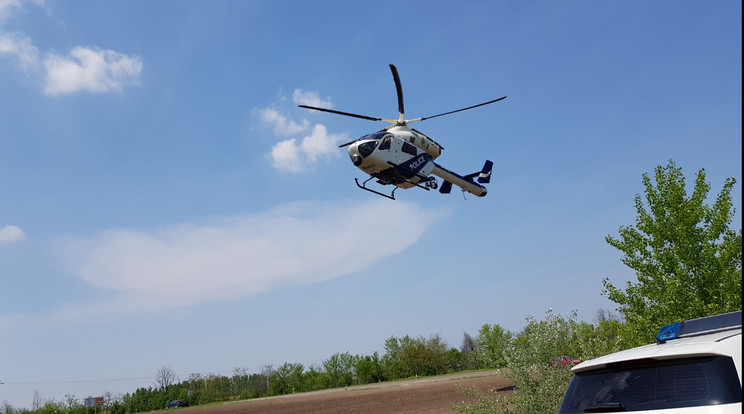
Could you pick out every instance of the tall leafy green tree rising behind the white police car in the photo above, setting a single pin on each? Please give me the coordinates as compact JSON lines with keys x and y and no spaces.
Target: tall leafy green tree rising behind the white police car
{"x":687,"y":259}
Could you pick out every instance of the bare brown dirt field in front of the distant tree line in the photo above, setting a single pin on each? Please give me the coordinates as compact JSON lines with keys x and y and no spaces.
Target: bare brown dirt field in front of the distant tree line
{"x":423,"y":395}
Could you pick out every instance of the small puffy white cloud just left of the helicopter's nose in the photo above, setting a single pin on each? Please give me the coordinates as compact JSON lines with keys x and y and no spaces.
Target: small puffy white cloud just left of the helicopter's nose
{"x":289,"y":156}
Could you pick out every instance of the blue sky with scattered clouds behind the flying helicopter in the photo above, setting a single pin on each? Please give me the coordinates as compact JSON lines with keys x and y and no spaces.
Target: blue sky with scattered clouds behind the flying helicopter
{"x":163,"y":201}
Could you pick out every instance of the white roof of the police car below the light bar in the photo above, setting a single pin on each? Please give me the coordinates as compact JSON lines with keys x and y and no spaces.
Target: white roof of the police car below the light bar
{"x":712,"y":344}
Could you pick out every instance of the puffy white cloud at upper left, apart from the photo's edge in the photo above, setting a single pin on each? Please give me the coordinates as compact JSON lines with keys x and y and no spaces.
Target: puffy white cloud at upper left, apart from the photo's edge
{"x":91,"y":70}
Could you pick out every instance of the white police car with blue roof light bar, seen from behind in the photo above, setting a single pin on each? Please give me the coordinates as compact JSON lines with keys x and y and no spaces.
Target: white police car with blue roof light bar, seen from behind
{"x":695,"y":367}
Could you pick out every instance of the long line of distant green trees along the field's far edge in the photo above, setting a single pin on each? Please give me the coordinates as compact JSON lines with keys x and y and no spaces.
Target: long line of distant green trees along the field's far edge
{"x":404,"y":357}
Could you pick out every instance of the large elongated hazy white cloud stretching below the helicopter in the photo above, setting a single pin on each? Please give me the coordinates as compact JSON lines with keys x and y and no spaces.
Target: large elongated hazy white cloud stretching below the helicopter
{"x":240,"y":256}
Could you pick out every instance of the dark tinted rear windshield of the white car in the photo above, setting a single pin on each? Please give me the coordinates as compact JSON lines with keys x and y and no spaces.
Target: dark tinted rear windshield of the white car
{"x":654,"y":385}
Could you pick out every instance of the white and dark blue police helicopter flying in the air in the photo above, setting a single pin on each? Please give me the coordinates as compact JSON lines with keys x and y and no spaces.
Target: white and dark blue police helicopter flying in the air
{"x":401,"y":156}
